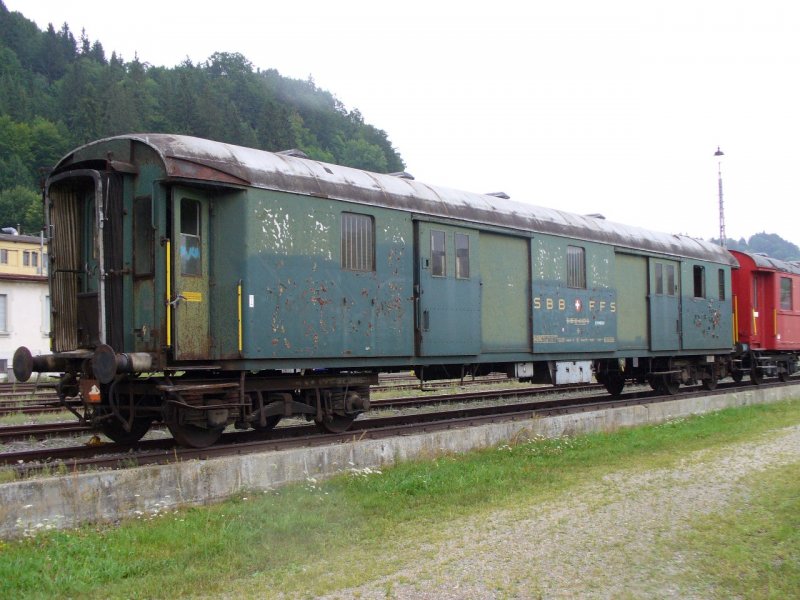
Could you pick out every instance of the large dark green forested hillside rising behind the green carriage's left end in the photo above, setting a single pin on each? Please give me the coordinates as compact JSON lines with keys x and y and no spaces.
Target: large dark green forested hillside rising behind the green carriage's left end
{"x":57,"y":92}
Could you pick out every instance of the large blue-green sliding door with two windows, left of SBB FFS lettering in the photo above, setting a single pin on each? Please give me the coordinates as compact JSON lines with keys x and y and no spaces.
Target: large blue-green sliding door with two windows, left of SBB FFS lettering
{"x":448,"y":291}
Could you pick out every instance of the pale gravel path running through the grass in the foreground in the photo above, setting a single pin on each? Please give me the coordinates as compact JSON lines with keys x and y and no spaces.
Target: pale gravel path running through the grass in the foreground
{"x":601,"y":540}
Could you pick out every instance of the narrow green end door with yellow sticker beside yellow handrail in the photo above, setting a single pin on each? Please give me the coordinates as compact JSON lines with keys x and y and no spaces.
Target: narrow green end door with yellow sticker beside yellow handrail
{"x":189,"y":294}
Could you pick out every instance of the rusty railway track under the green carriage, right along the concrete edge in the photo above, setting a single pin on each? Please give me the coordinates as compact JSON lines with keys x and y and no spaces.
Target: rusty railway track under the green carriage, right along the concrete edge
{"x":163,"y":451}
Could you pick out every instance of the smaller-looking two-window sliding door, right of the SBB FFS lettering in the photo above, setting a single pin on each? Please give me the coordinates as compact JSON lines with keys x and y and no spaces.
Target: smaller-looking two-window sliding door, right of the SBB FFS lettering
{"x":665,"y":305}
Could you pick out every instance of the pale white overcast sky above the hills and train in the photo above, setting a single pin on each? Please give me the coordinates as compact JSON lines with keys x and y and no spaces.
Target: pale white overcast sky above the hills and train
{"x":614,"y":107}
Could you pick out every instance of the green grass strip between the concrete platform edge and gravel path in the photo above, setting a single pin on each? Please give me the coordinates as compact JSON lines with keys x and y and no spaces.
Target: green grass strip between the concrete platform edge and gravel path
{"x":308,"y":539}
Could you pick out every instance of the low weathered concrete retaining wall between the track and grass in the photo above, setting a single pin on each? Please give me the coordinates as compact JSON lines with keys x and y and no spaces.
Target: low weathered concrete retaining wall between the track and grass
{"x":68,"y":501}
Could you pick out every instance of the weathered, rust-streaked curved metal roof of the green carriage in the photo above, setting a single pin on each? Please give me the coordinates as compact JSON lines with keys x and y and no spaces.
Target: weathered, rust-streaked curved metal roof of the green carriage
{"x":195,"y":158}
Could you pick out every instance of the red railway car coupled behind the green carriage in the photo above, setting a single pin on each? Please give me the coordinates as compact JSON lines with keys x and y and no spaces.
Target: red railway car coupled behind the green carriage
{"x":766,"y":304}
